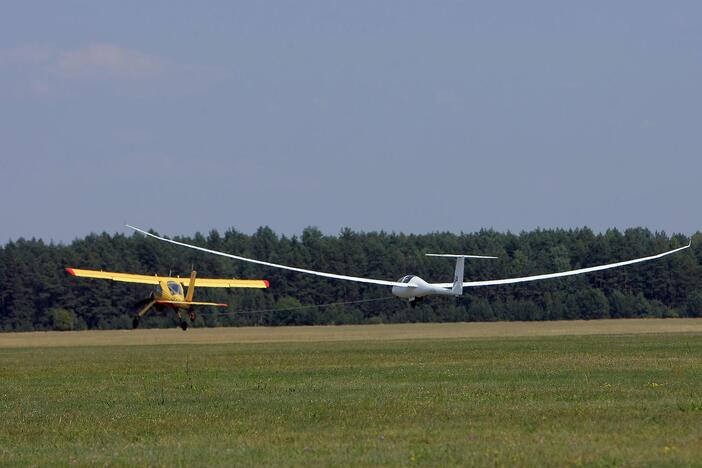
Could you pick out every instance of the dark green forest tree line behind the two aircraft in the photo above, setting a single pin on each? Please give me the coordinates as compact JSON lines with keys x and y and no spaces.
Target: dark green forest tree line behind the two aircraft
{"x":37,"y":294}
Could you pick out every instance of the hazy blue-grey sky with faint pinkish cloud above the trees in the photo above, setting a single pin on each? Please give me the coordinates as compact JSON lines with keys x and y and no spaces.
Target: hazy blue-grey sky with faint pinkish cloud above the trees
{"x":400,"y":116}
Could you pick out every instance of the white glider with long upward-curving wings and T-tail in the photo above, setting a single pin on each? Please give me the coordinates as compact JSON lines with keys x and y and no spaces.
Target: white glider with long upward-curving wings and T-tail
{"x":413,"y":287}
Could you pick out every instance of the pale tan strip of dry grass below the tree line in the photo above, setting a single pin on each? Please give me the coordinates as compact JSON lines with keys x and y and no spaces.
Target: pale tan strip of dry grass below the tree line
{"x":405,"y":331}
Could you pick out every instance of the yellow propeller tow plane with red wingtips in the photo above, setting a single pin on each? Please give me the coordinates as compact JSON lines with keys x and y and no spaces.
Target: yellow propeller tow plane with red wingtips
{"x":169,"y":290}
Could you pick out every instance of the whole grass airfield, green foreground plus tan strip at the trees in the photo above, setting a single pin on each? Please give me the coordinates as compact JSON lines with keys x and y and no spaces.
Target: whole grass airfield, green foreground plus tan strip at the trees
{"x":611,"y":392}
